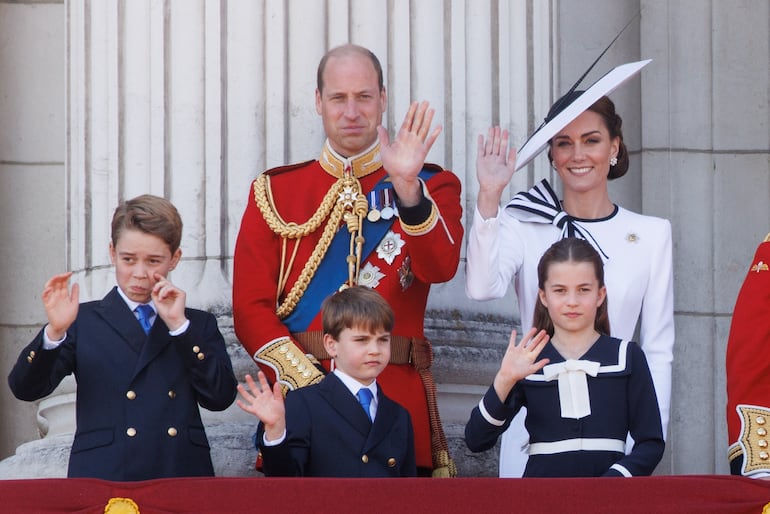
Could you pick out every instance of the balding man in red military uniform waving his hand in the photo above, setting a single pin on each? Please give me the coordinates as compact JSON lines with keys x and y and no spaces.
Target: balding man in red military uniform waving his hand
{"x":370,"y":212}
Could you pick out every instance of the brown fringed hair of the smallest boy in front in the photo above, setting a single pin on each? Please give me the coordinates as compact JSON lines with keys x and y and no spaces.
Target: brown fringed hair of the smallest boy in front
{"x":356,"y":306}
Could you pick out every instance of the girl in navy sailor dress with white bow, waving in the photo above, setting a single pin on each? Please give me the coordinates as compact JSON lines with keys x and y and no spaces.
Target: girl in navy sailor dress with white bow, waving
{"x":584,"y":391}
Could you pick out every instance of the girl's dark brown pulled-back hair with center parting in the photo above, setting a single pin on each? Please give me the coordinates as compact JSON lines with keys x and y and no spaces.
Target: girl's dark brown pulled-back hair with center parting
{"x":570,"y":249}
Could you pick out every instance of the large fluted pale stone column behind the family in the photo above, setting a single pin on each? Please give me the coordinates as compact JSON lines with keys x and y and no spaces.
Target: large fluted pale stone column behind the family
{"x":191,"y":99}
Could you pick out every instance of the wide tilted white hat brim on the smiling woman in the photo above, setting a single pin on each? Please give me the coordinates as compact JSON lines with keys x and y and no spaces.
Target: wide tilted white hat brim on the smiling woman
{"x":602,"y":87}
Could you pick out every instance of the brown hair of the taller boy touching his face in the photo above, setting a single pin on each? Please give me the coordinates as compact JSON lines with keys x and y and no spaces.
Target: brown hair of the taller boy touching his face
{"x":149,"y":214}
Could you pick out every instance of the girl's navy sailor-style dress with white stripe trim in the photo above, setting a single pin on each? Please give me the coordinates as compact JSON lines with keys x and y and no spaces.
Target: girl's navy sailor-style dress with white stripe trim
{"x":622,"y":400}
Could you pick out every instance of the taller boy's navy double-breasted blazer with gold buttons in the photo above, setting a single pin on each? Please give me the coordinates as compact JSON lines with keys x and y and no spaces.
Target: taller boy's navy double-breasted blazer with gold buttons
{"x":137,"y":395}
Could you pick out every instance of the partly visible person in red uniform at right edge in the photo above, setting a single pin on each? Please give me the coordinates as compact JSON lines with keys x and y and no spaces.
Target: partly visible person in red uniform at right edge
{"x":748,"y":372}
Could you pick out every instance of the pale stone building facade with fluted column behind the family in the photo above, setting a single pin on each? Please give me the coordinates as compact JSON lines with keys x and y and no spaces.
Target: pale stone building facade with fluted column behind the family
{"x":191,"y":99}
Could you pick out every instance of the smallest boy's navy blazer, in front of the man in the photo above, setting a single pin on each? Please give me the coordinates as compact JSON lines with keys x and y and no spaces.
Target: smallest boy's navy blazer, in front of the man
{"x":330,"y":435}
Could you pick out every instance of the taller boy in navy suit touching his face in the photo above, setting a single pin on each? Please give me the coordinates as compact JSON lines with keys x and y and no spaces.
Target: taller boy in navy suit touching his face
{"x":140,"y":377}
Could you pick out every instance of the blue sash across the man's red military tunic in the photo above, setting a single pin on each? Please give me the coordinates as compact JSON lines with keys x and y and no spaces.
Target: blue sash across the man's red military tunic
{"x":333,"y":270}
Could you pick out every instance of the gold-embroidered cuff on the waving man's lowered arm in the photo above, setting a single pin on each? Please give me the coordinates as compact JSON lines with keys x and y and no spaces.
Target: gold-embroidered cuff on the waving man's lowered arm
{"x":293,"y":369}
